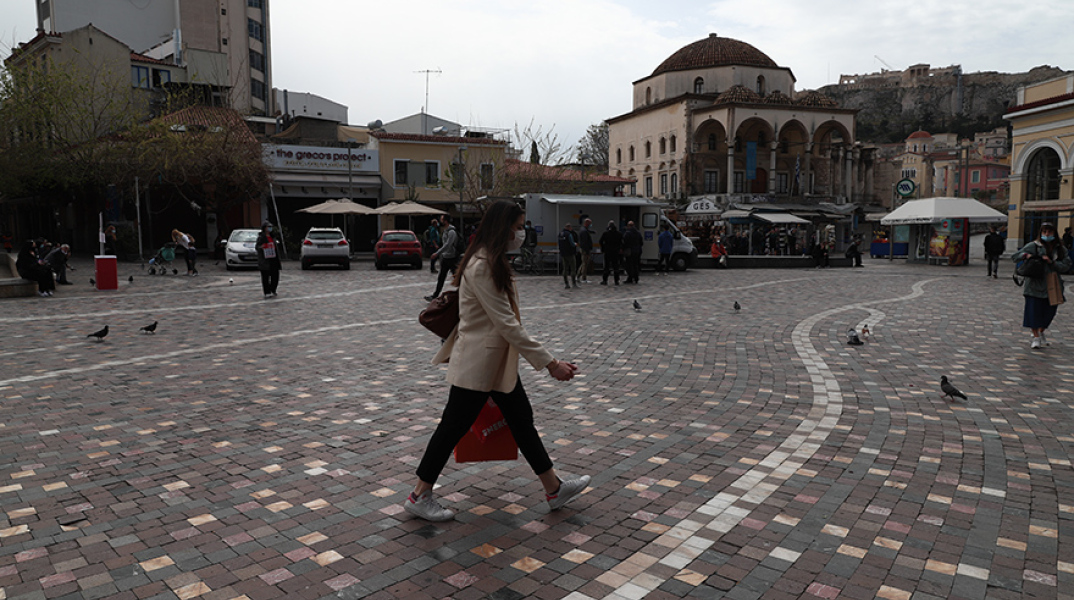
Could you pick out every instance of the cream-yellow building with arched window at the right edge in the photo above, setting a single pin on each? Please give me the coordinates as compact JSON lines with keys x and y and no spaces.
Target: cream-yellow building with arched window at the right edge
{"x":1042,"y":159}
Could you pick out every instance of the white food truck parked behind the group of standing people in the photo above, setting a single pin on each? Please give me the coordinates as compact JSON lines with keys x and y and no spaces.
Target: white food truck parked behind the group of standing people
{"x":550,"y":213}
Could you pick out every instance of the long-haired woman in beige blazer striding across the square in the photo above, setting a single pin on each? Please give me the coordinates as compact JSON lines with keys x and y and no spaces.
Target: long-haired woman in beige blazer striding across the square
{"x":484,"y":353}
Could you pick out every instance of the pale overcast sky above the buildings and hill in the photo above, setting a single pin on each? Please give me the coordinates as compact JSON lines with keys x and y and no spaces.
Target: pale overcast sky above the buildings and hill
{"x":565,"y":65}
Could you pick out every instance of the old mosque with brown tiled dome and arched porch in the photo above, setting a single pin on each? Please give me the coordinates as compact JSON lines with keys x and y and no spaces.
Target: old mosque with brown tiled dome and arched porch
{"x":721,"y":120}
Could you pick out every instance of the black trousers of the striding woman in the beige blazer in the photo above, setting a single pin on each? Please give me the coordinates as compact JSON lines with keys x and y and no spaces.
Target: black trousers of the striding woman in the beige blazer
{"x":461,"y":413}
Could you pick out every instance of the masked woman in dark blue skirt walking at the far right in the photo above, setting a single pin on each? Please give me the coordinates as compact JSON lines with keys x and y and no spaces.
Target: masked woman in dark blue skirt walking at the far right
{"x":1040,"y":311}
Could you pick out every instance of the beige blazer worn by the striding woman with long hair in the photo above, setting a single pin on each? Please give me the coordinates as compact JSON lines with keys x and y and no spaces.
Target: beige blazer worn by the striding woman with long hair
{"x":485,"y":348}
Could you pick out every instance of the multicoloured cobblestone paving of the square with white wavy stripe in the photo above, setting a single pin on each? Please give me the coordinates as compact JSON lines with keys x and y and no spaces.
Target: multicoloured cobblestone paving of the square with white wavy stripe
{"x":262,"y":449}
